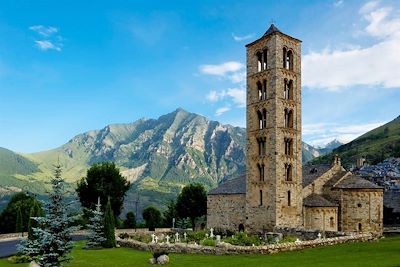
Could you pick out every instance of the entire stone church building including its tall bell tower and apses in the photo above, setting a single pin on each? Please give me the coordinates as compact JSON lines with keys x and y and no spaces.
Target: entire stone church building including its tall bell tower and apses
{"x":277,"y":191}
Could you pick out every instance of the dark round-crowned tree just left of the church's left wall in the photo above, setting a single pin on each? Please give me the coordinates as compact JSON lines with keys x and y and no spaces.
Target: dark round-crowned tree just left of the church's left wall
{"x":192,"y":202}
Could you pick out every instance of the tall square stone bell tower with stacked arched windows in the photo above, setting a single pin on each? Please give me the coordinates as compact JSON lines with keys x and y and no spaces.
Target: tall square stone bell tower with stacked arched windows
{"x":274,"y":162}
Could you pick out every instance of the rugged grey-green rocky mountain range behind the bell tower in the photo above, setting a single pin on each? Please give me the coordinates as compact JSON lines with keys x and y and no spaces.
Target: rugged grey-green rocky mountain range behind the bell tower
{"x":159,"y":156}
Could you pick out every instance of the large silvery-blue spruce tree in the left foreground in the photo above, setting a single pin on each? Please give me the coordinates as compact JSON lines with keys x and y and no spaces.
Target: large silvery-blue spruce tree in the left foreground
{"x":52,"y":242}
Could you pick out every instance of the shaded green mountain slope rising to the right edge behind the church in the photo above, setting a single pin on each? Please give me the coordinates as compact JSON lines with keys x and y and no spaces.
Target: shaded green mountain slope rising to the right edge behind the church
{"x":375,"y":145}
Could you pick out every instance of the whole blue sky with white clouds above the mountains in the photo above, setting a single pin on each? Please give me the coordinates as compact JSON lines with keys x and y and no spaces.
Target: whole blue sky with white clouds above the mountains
{"x":67,"y":67}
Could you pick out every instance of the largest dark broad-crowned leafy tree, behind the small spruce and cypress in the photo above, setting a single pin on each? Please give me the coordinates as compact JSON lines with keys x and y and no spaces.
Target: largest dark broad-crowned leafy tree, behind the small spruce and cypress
{"x":103,"y":180}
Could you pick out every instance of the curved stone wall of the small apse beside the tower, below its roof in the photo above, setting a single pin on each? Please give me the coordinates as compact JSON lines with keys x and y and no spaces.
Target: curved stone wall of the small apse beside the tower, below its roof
{"x":321,"y":218}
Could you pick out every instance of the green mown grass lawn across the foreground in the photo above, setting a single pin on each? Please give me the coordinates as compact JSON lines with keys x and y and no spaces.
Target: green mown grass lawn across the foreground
{"x":385,"y":252}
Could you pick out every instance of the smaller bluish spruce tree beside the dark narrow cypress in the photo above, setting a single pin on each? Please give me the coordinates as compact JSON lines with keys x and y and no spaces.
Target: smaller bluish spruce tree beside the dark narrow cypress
{"x":95,"y":236}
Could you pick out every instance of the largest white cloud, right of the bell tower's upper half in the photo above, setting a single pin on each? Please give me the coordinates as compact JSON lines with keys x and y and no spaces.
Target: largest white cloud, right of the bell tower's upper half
{"x":376,"y":64}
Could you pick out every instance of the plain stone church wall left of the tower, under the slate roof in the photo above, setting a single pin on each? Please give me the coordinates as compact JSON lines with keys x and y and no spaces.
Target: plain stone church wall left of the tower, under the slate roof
{"x":226,"y":211}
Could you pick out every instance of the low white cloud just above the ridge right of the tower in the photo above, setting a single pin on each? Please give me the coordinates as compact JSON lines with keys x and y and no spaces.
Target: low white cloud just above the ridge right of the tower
{"x":320,"y":134}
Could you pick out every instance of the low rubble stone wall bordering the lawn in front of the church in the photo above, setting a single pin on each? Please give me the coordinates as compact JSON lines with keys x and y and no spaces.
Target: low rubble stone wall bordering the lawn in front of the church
{"x":227,"y":249}
